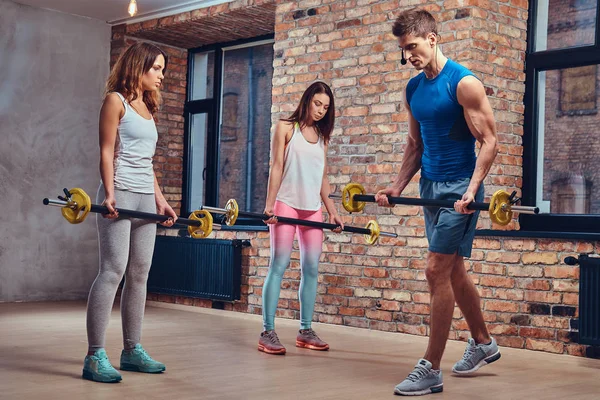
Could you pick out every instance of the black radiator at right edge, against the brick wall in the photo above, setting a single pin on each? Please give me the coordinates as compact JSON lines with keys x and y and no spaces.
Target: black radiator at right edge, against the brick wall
{"x":589,"y":298}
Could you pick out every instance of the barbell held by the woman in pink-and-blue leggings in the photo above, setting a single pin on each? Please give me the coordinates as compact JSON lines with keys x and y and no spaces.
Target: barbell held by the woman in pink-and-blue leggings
{"x":232,"y":211}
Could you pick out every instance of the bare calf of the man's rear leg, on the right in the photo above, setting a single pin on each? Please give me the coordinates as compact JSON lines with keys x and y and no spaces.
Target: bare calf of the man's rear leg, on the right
{"x":468,"y":301}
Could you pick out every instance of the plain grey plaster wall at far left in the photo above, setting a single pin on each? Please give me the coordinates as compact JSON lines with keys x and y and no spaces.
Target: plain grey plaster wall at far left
{"x":54,"y":66}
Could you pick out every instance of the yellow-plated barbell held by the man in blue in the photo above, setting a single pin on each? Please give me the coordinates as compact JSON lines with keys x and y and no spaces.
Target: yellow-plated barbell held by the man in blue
{"x":500,"y":207}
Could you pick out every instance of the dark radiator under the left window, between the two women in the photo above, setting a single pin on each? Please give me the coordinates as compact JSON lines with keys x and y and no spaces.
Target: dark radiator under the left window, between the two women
{"x":200,"y":268}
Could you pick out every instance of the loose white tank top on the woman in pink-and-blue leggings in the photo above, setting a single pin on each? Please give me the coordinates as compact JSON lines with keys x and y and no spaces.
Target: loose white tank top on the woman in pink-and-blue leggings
{"x":303,"y":166}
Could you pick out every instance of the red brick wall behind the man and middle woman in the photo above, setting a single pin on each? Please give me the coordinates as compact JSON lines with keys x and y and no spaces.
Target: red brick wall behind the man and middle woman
{"x":529,"y":296}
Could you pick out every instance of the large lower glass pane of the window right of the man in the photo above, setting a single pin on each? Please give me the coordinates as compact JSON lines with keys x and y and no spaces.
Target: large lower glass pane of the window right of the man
{"x":569,"y":133}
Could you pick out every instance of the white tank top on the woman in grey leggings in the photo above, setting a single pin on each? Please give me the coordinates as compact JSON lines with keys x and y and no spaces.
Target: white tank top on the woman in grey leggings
{"x":134,"y":149}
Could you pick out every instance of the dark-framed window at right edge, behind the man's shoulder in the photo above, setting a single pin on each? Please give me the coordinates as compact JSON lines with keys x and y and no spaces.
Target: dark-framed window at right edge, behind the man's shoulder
{"x":562,"y":124}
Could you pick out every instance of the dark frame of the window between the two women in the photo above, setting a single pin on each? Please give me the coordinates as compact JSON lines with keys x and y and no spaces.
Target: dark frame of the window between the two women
{"x":211,"y":106}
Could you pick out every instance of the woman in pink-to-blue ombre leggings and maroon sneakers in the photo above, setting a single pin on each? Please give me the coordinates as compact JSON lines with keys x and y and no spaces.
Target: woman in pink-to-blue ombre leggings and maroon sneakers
{"x":298,"y":184}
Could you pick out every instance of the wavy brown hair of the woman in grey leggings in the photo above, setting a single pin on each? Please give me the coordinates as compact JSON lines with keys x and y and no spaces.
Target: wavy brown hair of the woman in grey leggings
{"x":126,"y":74}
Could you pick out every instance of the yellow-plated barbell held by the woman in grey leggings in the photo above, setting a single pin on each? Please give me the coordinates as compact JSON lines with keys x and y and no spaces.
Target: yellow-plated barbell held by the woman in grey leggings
{"x":77,"y":205}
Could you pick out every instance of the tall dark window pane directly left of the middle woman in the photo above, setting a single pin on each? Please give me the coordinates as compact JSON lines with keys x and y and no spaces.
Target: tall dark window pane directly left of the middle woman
{"x":245,"y":126}
